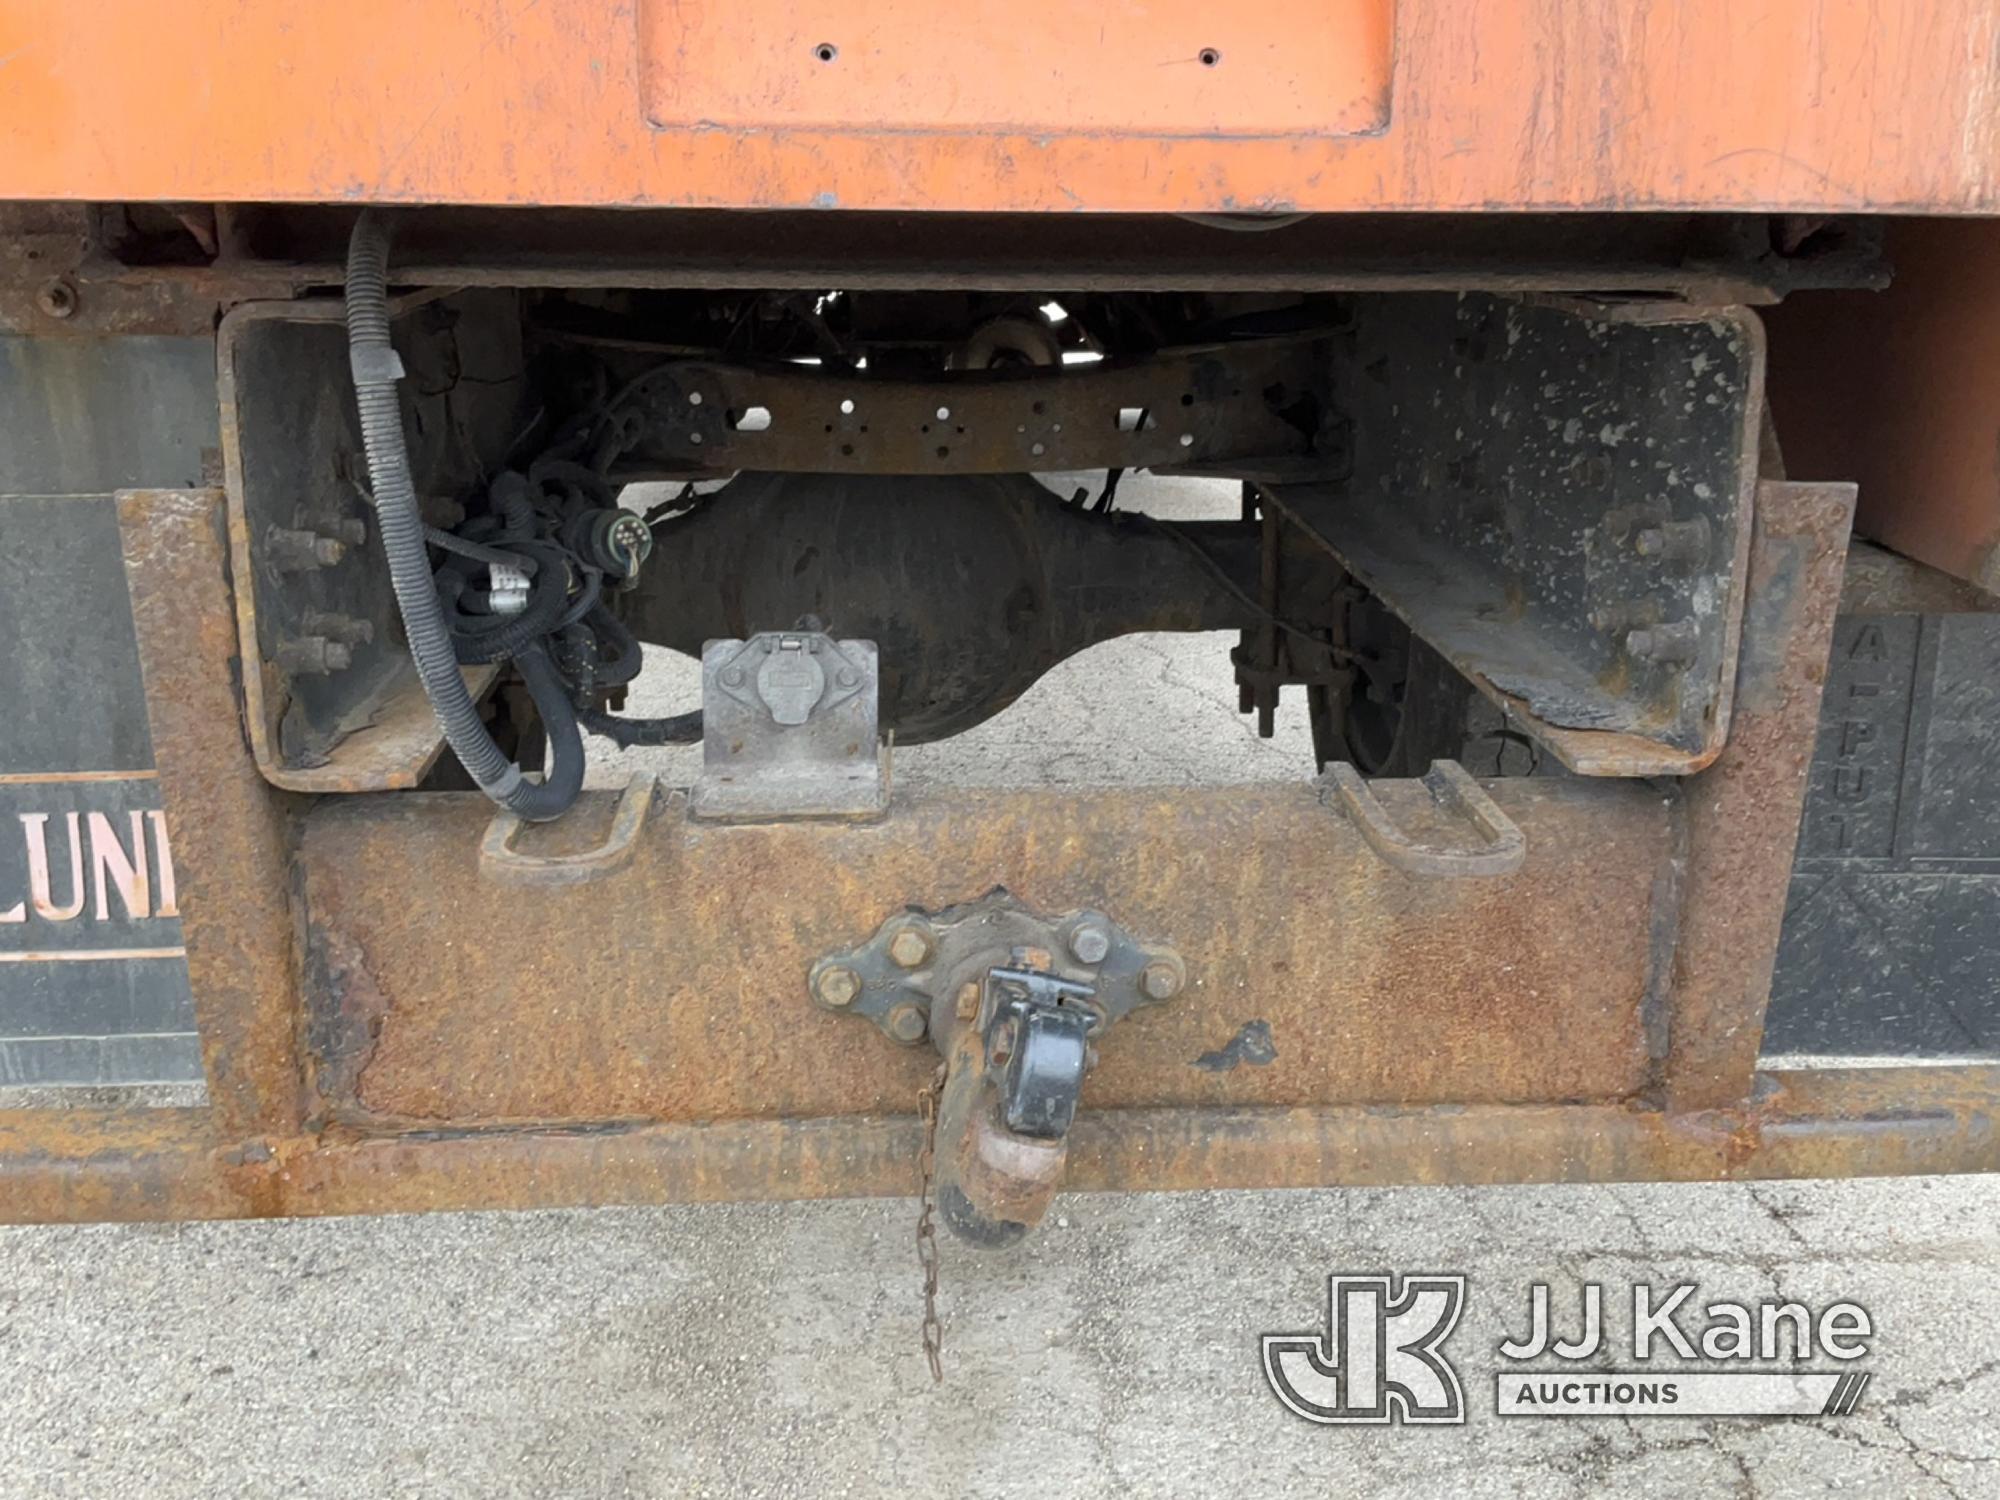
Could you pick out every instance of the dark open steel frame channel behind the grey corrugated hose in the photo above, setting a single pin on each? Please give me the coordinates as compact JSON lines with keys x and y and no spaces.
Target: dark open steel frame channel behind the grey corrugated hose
{"x":331,"y":699}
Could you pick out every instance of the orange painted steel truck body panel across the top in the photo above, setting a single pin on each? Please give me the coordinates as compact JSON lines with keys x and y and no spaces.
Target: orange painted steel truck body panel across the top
{"x":1139,"y":107}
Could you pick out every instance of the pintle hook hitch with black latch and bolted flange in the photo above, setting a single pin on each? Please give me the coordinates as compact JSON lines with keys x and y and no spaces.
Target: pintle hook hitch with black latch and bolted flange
{"x":1017,"y":1005}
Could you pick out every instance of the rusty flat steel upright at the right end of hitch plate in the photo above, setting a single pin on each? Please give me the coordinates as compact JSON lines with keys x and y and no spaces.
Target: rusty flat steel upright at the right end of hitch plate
{"x":1745,"y":809}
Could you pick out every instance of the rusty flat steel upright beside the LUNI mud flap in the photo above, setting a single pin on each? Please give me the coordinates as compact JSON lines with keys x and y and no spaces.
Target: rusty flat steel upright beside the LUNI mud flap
{"x":231,"y":831}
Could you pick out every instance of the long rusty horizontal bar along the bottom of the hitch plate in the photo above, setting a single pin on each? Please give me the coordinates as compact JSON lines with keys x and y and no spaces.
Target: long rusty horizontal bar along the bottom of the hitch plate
{"x":149,"y":1165}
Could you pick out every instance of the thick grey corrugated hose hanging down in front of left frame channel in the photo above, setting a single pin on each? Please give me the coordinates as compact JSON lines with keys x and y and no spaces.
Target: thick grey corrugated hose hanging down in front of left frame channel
{"x":377,"y":371}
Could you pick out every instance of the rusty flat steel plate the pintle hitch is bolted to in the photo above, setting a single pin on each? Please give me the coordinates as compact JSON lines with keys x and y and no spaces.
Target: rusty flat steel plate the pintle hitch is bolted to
{"x":677,"y":987}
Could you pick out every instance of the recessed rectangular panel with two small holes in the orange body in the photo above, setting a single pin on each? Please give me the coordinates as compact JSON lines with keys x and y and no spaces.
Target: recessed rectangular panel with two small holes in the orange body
{"x":1145,"y":67}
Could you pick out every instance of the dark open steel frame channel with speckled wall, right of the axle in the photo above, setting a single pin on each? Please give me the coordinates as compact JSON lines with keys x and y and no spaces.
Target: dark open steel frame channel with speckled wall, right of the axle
{"x":1557,"y":497}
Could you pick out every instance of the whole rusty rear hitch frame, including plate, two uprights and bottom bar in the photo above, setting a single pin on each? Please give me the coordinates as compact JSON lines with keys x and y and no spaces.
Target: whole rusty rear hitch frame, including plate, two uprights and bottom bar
{"x":405,"y":1015}
